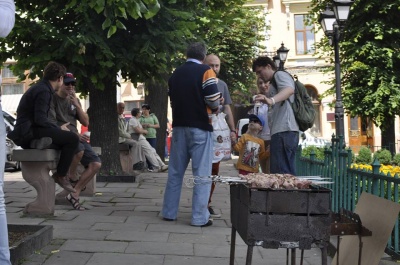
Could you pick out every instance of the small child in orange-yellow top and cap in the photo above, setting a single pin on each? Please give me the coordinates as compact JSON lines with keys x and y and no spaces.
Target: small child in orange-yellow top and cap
{"x":251,"y":147}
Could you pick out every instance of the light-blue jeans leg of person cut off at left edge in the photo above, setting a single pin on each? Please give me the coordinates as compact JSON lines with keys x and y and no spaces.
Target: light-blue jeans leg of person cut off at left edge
{"x":4,"y":248}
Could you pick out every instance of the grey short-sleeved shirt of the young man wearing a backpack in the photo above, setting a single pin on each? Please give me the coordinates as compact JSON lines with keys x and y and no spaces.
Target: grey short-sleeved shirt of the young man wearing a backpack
{"x":281,"y":117}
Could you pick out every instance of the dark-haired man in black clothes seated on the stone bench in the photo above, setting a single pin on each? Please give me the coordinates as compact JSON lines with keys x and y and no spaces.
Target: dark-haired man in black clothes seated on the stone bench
{"x":33,"y":122}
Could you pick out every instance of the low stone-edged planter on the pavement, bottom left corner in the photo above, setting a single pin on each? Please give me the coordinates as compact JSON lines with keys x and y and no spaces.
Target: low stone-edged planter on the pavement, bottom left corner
{"x":40,"y":236}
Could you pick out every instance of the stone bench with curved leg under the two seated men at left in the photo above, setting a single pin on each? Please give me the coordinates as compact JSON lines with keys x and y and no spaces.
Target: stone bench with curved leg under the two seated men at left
{"x":35,"y":167}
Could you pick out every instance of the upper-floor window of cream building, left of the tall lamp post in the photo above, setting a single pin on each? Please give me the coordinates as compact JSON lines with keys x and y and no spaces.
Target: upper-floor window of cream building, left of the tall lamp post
{"x":305,"y":38}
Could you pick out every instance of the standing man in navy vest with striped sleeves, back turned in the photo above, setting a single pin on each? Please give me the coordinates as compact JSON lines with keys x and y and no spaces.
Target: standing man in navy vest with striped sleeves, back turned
{"x":194,"y":95}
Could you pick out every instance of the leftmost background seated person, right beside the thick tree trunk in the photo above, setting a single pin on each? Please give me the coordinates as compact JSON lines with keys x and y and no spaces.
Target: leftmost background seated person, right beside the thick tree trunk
{"x":125,"y":138}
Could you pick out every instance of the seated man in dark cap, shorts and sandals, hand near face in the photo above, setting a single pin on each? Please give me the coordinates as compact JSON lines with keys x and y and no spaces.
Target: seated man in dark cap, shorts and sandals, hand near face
{"x":65,"y":111}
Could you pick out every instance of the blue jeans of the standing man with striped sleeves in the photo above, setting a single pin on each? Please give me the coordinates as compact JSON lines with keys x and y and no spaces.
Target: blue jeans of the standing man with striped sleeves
{"x":196,"y":144}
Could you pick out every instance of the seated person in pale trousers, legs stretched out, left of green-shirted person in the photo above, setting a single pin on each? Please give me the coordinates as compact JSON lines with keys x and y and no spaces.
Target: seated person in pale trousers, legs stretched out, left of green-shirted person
{"x":136,"y":129}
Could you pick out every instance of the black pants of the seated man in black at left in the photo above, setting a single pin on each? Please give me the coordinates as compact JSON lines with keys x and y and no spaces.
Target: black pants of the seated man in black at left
{"x":65,"y":140}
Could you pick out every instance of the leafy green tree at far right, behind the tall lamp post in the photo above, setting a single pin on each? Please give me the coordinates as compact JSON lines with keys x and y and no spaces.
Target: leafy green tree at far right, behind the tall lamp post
{"x":370,"y":61}
